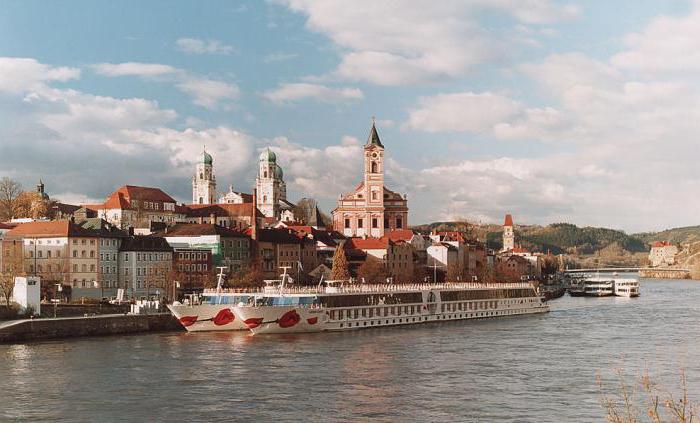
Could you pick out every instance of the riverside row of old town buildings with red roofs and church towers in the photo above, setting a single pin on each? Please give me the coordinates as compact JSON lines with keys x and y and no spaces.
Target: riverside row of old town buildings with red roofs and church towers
{"x":141,"y":239}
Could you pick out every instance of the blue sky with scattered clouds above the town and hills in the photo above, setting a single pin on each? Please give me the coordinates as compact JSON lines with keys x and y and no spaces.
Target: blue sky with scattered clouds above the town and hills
{"x":579,"y":112}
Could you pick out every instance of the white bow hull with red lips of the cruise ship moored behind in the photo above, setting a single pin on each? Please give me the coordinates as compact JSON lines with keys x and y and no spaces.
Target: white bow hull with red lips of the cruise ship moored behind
{"x":206,"y":317}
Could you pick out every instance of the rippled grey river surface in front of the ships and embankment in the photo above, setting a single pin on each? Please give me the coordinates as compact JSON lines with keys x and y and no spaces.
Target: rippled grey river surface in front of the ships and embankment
{"x":516,"y":369}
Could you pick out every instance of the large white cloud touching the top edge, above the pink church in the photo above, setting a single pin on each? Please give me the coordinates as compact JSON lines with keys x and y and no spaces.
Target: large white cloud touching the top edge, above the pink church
{"x":416,"y":41}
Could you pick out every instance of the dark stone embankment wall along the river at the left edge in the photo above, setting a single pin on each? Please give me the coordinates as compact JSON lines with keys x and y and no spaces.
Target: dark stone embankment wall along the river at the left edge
{"x":68,"y":327}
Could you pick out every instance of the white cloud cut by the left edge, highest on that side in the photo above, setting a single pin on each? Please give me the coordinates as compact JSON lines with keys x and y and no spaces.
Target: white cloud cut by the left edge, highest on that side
{"x":19,"y":74}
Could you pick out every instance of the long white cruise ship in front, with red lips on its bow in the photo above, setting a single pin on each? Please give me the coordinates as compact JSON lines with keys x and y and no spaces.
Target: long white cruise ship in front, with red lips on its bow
{"x":339,"y":306}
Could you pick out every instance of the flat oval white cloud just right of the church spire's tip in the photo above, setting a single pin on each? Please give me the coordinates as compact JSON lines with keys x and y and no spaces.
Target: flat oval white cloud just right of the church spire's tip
{"x":461,"y":112}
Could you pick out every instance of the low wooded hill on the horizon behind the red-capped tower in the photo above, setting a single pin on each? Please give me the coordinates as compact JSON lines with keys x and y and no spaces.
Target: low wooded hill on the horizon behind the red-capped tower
{"x":555,"y":238}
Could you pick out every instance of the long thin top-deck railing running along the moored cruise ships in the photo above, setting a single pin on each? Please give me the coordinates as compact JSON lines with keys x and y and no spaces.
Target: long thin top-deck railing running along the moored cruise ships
{"x":371,"y":288}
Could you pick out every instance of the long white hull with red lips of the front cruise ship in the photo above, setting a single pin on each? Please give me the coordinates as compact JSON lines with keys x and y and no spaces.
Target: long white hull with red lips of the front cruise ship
{"x":291,"y":319}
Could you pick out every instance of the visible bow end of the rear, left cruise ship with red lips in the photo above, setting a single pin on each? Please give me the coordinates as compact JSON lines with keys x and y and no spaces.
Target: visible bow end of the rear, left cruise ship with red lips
{"x":211,"y":310}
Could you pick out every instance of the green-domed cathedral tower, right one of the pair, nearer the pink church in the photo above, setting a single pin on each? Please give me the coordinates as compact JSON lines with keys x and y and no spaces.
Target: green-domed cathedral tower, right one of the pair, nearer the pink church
{"x":270,"y":184}
